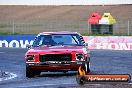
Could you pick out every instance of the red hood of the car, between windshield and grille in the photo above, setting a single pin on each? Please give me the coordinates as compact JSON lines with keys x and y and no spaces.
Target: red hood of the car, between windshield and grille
{"x":53,"y":49}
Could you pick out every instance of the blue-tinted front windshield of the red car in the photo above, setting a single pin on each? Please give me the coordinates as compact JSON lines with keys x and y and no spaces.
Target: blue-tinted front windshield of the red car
{"x":58,"y":39}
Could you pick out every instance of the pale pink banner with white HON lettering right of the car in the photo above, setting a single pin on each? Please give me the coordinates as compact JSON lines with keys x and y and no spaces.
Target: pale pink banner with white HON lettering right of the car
{"x":109,"y":42}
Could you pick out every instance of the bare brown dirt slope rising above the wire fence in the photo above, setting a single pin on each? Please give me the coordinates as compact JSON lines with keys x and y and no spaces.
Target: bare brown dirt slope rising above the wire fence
{"x":63,"y":13}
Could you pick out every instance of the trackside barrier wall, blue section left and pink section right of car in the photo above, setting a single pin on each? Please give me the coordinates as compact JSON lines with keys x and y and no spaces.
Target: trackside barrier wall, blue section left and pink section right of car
{"x":94,"y":42}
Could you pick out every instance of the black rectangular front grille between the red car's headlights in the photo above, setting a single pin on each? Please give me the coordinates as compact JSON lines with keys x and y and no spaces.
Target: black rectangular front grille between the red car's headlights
{"x":55,"y":57}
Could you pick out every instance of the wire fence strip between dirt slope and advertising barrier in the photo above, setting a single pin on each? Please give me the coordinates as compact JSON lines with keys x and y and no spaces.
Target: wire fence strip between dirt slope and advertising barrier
{"x":33,"y":27}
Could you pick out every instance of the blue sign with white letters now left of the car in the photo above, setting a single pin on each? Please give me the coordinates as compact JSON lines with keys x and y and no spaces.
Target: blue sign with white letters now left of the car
{"x":16,"y":41}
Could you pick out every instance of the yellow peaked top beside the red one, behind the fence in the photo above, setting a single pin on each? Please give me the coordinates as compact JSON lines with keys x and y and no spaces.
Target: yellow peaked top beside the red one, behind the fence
{"x":107,"y":19}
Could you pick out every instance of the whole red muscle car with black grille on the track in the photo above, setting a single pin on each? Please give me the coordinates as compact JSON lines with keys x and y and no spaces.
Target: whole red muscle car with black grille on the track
{"x":57,"y":51}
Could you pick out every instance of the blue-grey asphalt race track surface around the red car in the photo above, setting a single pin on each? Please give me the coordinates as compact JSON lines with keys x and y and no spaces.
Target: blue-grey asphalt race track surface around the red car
{"x":102,"y":61}
